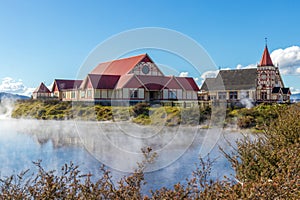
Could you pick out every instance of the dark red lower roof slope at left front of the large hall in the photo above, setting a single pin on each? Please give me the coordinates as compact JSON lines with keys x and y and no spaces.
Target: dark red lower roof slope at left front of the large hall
{"x":103,"y":81}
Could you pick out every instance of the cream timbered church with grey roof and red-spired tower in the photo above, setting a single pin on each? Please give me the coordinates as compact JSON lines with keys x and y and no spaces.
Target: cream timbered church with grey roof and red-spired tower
{"x":260,"y":84}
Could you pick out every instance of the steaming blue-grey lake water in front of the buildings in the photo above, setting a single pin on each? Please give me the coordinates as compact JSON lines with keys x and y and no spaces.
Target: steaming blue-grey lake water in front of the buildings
{"x":115,"y":144}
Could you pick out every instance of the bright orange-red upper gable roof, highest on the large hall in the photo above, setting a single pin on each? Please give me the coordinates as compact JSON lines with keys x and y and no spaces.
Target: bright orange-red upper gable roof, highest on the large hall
{"x":121,"y":66}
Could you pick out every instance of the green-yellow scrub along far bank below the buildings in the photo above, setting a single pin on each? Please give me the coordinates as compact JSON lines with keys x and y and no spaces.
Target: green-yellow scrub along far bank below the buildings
{"x":141,"y":113}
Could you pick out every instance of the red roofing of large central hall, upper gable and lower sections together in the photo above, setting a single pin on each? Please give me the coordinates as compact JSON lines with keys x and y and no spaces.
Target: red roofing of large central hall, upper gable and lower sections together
{"x":115,"y":75}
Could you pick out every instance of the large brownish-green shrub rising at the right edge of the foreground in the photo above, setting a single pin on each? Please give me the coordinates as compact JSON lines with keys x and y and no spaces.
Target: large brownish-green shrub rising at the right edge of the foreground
{"x":268,"y":165}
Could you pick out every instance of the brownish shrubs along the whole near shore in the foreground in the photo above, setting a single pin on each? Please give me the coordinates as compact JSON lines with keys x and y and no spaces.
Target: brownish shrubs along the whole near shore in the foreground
{"x":266,"y":167}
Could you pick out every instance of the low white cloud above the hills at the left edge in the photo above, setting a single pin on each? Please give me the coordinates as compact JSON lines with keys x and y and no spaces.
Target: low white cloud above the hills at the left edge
{"x":10,"y":85}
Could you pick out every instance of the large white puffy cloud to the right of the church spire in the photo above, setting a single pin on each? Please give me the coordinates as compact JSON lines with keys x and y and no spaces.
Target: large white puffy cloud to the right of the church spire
{"x":288,"y":60}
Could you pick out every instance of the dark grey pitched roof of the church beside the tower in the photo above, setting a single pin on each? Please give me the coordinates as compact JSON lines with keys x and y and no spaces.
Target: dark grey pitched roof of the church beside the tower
{"x":237,"y":79}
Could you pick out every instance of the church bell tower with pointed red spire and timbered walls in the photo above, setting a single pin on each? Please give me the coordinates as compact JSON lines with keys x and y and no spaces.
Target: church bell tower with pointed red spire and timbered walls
{"x":268,"y":77}
